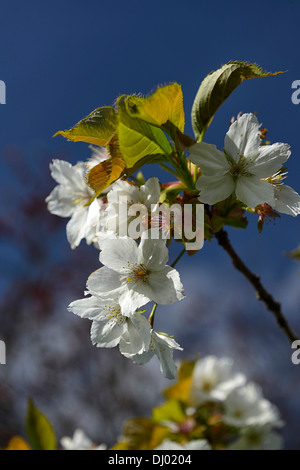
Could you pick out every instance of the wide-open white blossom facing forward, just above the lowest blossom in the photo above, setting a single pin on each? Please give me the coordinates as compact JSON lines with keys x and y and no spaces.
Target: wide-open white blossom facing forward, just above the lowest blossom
{"x":137,"y":273}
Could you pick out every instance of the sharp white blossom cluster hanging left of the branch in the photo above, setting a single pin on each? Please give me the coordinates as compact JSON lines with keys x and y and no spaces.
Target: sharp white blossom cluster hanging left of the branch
{"x":134,"y":272}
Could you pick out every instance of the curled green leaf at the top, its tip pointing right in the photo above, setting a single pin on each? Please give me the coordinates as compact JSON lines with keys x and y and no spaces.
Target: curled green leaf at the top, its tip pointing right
{"x":215,"y":89}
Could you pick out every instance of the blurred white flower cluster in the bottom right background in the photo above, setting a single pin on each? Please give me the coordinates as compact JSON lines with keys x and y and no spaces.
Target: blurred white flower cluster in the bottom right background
{"x":242,"y":403}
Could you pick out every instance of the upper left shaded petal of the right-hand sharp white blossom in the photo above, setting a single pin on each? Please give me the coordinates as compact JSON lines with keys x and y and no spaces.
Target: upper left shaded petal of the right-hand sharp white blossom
{"x":208,"y":158}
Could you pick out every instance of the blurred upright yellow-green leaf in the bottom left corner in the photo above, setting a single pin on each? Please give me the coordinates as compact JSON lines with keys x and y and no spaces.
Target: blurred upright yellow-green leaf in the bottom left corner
{"x":39,"y":430}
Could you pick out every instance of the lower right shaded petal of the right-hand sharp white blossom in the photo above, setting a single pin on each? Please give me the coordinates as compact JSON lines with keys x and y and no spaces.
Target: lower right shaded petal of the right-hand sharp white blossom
{"x":252,"y":191}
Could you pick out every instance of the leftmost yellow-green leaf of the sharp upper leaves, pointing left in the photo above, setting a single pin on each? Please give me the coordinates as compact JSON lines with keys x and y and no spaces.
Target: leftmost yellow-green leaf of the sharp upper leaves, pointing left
{"x":97,"y":128}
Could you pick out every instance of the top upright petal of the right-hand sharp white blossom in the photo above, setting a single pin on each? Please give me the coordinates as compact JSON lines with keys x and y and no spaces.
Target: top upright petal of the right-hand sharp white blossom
{"x":243,"y":137}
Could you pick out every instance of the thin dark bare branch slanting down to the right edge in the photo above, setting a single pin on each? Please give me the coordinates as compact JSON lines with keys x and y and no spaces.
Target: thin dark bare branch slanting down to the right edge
{"x":262,"y":294}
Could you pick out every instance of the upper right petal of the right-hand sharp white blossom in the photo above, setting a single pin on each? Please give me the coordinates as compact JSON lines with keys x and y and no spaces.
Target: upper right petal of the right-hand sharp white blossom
{"x":269,"y":160}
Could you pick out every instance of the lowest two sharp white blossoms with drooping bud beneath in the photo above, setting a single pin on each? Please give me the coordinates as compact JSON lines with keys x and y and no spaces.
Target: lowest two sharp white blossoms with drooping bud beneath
{"x":132,"y":275}
